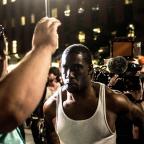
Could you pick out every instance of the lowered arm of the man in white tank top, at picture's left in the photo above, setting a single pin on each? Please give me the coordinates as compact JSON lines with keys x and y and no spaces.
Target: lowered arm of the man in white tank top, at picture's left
{"x":49,"y":109}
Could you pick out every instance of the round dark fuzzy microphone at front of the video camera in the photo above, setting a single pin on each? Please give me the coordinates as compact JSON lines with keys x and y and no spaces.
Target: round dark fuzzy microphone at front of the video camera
{"x":117,"y":65}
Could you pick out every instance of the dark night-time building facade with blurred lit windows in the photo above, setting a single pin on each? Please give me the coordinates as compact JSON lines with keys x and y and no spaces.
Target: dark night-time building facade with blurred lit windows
{"x":92,"y":22}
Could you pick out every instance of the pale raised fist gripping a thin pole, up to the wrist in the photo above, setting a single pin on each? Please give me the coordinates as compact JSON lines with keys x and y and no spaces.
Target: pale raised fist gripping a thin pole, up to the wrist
{"x":45,"y":34}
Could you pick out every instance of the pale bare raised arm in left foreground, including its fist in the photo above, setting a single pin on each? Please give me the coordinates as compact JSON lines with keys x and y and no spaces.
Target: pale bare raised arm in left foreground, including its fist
{"x":22,"y":89}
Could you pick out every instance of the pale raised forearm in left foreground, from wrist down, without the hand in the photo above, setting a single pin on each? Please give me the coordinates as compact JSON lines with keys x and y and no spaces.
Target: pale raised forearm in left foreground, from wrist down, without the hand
{"x":23,"y":88}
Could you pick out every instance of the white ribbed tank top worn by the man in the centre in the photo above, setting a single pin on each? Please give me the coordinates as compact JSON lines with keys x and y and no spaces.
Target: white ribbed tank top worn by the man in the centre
{"x":94,"y":130}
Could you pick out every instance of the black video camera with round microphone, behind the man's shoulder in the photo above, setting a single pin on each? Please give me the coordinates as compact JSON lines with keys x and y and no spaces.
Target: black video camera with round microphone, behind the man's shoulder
{"x":127,"y":71}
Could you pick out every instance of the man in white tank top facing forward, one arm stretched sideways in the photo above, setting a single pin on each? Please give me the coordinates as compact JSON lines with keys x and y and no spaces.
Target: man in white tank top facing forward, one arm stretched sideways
{"x":82,"y":111}
